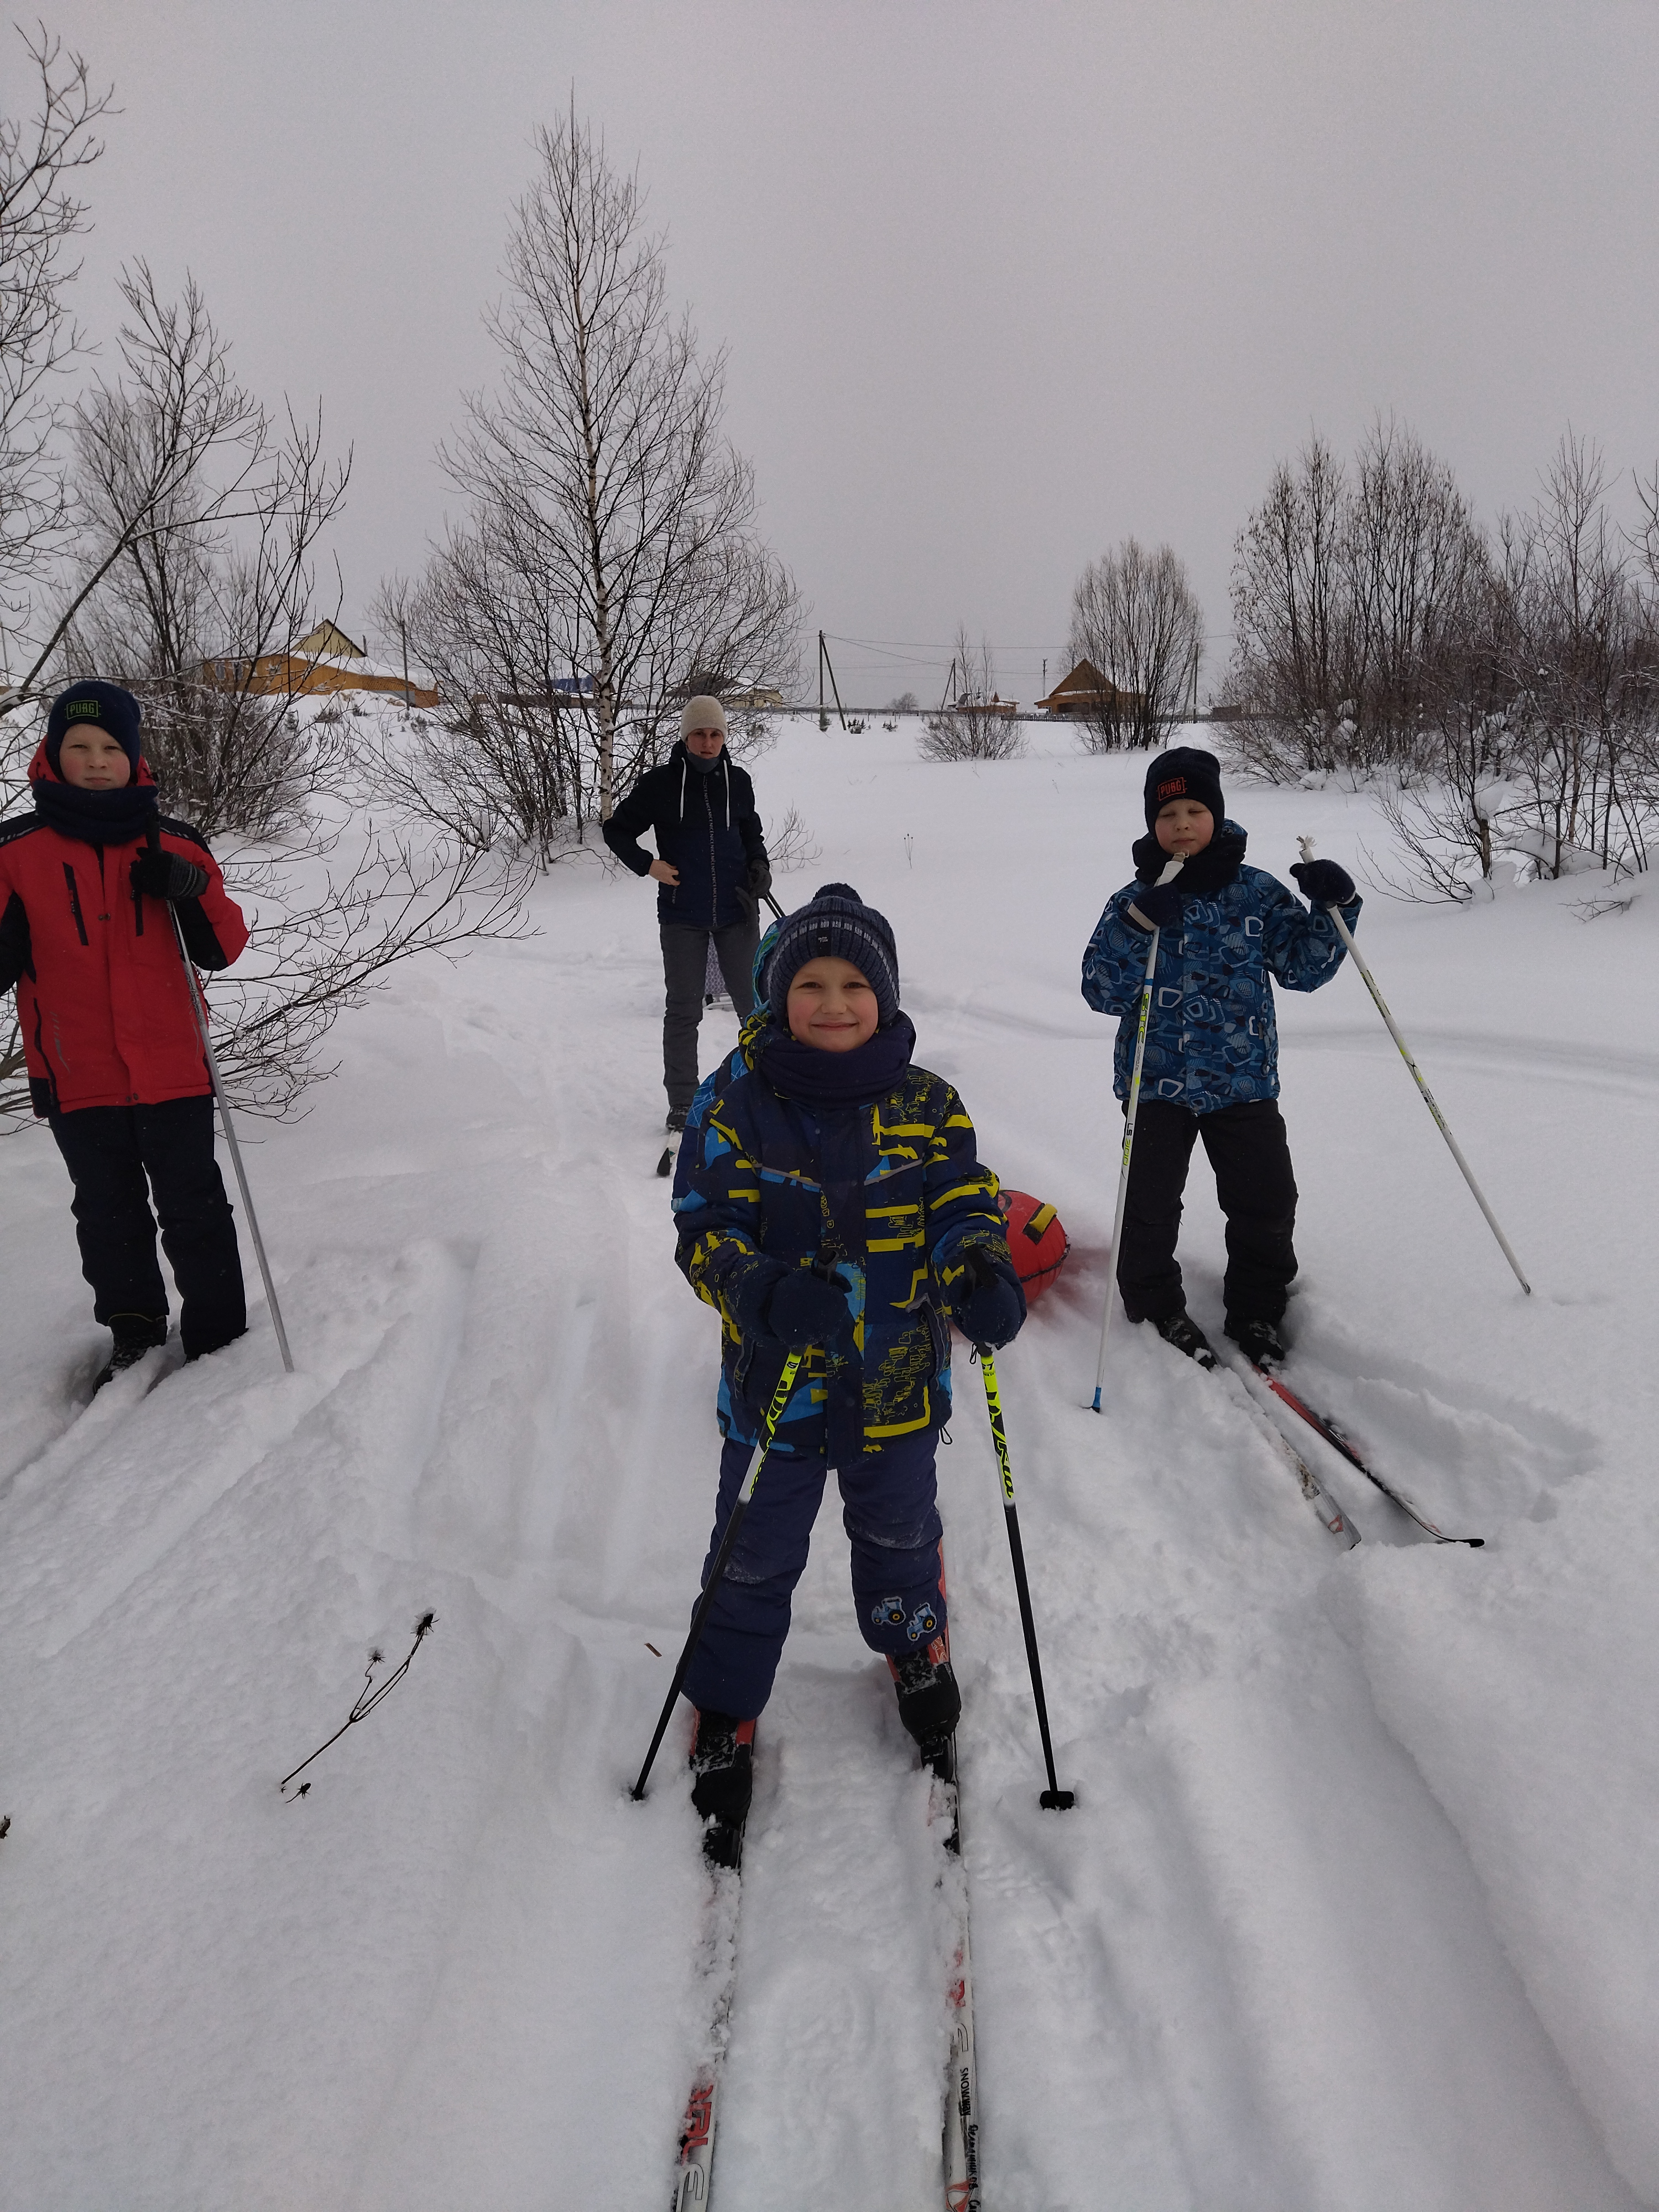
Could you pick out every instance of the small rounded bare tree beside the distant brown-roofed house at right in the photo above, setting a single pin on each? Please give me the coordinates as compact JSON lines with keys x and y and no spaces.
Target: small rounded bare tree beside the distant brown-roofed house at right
{"x":1136,"y":616}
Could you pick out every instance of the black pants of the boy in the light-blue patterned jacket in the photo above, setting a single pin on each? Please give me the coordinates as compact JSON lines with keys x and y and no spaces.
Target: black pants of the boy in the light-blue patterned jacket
{"x":1258,"y":1193}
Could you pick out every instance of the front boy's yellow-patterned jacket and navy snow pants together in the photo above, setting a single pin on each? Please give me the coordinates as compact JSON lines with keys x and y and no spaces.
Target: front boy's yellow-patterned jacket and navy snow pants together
{"x":895,"y":1193}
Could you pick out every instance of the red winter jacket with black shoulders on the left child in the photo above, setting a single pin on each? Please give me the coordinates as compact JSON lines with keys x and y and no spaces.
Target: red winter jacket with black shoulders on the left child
{"x":103,"y":999}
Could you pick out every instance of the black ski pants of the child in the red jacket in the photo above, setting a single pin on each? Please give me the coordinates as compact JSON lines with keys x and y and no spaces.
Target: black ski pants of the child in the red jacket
{"x":121,"y":1158}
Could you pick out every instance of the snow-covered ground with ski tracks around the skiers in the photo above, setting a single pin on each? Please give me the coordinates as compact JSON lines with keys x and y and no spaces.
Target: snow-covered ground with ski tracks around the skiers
{"x":1357,"y":1908}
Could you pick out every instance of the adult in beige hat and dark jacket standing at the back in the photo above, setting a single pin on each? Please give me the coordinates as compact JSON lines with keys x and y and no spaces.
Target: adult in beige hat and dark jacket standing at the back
{"x":711,"y":873}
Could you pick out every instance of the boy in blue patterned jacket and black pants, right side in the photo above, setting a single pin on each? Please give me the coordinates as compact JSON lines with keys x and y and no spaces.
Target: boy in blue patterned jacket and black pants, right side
{"x":1227,"y":932}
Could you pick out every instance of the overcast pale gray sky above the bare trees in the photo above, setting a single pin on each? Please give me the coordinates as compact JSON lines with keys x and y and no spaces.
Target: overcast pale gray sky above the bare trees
{"x":1001,"y":284}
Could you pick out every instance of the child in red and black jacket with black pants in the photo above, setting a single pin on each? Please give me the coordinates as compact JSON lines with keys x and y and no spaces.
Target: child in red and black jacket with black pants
{"x":109,"y":1036}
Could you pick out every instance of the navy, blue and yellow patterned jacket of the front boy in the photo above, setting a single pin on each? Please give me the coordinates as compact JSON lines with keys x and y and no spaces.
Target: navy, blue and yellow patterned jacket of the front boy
{"x":895,"y":1189}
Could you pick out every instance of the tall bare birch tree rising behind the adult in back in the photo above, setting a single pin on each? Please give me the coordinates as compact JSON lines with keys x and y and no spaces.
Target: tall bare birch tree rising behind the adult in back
{"x":601,"y":477}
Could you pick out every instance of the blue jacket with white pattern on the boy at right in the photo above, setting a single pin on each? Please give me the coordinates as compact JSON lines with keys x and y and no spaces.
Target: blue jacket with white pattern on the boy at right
{"x":1211,"y":1036}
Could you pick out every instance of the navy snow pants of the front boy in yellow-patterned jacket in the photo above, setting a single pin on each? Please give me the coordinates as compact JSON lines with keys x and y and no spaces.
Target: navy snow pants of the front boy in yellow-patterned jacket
{"x":897,"y":1569}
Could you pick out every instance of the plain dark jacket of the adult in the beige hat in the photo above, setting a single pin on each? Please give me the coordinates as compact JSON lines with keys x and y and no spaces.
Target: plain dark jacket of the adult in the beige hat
{"x":707,"y":826}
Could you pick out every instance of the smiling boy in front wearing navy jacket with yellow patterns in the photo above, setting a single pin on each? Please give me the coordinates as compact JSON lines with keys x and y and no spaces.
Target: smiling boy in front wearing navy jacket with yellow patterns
{"x":831,"y":1202}
